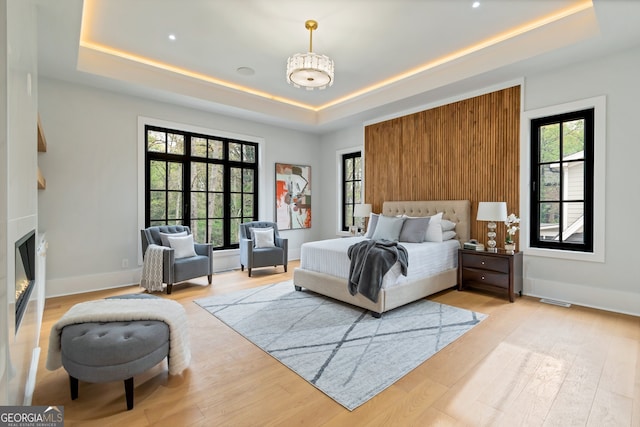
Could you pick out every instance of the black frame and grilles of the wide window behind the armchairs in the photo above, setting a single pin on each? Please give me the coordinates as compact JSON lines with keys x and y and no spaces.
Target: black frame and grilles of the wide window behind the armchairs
{"x":186,"y":160}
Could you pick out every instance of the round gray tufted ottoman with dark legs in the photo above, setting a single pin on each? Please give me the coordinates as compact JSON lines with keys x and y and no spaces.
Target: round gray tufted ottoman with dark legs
{"x":111,"y":351}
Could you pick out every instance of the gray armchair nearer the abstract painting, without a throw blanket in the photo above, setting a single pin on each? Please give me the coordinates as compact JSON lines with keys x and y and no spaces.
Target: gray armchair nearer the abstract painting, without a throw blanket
{"x":252,"y":257}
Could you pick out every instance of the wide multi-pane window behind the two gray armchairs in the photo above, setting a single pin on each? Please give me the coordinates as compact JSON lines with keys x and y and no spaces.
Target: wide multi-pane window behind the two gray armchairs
{"x":206,"y":182}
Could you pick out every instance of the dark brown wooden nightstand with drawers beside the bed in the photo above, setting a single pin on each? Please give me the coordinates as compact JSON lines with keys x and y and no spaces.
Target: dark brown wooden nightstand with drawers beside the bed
{"x":494,"y":271}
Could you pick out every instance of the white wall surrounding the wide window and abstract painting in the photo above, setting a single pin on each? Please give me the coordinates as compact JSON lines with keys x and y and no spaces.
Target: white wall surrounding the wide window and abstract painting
{"x":89,"y":209}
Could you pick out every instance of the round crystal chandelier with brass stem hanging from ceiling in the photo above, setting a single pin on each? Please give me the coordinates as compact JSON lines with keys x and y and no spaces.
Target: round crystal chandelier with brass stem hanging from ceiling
{"x":310,"y":70}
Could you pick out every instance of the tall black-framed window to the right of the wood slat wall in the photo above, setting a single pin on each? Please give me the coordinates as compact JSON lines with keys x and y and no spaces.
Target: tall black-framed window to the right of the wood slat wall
{"x":562,"y":181}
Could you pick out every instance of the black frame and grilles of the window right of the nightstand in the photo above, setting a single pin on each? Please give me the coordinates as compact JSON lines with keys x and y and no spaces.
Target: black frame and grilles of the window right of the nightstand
{"x":588,"y":115}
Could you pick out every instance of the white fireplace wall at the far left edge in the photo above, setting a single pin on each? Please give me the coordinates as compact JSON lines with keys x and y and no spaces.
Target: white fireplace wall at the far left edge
{"x":19,"y":189}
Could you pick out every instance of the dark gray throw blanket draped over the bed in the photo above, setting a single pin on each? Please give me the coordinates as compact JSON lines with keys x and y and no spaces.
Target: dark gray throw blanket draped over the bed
{"x":370,"y":261}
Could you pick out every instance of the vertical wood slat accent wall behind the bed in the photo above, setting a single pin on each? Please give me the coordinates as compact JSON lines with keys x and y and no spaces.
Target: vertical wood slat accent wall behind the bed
{"x":469,"y":150}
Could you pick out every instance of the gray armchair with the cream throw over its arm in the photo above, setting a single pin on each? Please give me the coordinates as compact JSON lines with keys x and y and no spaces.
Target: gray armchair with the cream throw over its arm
{"x":178,"y":270}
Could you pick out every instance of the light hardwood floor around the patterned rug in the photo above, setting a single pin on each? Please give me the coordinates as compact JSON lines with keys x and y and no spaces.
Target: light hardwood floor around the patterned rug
{"x":527,"y":364}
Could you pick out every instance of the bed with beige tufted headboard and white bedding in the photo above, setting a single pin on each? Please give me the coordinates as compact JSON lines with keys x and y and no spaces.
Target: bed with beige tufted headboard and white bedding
{"x":327,"y":281}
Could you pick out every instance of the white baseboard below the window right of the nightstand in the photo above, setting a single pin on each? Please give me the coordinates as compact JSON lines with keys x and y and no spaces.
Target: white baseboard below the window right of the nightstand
{"x":586,"y":296}
